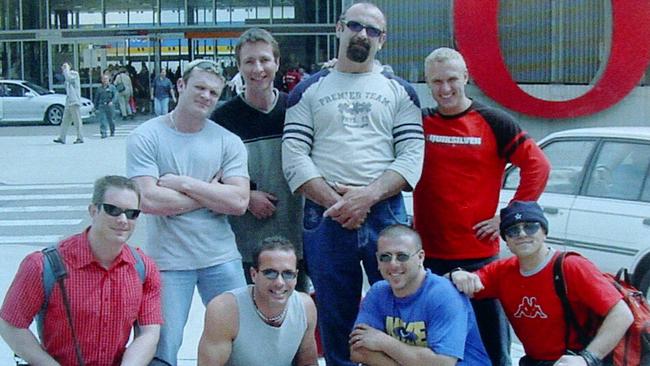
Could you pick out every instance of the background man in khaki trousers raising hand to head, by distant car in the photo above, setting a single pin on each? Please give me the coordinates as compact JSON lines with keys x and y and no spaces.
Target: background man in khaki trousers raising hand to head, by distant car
{"x":72,"y":110}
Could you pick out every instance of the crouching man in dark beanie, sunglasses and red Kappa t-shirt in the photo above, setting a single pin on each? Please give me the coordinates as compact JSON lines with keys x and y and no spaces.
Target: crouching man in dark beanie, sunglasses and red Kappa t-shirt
{"x":524,"y":285}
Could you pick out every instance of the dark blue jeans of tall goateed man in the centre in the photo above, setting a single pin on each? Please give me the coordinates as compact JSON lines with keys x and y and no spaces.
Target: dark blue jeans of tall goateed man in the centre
{"x":333,"y":255}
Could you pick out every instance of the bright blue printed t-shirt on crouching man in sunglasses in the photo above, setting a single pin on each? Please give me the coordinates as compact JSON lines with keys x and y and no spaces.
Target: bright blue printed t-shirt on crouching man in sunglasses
{"x":436,"y":316}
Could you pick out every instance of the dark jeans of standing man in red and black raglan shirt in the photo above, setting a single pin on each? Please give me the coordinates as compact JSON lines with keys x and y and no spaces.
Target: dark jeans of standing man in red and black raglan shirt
{"x":490,"y":317}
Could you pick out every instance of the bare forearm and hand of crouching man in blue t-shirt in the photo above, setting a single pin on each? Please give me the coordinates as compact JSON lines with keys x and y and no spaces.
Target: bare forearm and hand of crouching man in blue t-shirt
{"x":365,"y":336}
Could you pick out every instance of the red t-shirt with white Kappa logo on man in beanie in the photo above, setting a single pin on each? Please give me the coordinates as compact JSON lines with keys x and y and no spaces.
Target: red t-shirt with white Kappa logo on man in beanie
{"x":533,"y":307}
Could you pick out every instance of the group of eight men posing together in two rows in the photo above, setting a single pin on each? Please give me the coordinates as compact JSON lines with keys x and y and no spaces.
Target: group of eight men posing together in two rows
{"x":225,"y":201}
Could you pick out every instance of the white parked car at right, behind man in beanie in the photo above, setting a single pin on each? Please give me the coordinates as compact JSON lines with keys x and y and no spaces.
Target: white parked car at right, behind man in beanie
{"x":597,"y":199}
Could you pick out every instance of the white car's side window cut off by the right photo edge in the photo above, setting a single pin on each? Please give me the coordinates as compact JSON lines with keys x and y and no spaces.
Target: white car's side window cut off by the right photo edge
{"x":619,"y":171}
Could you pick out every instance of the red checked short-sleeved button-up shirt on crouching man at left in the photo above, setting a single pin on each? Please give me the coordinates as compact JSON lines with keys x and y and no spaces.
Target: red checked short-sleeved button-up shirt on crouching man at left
{"x":104,"y":302}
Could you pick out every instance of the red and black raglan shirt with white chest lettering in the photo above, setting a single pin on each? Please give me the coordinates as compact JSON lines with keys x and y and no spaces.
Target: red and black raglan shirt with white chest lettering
{"x":464,"y":161}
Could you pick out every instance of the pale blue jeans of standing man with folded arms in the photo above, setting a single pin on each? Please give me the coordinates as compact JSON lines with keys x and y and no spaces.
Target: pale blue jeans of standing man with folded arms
{"x":177,"y":292}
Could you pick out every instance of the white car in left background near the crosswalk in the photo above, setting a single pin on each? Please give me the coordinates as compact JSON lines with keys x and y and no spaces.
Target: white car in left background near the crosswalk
{"x":24,"y":101}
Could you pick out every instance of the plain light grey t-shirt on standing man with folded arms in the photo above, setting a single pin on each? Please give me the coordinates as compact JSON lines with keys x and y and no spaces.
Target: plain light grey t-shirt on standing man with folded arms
{"x":200,"y":238}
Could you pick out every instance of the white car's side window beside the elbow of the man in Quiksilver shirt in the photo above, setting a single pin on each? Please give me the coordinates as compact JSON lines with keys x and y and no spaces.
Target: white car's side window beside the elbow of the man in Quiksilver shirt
{"x":568,"y":158}
